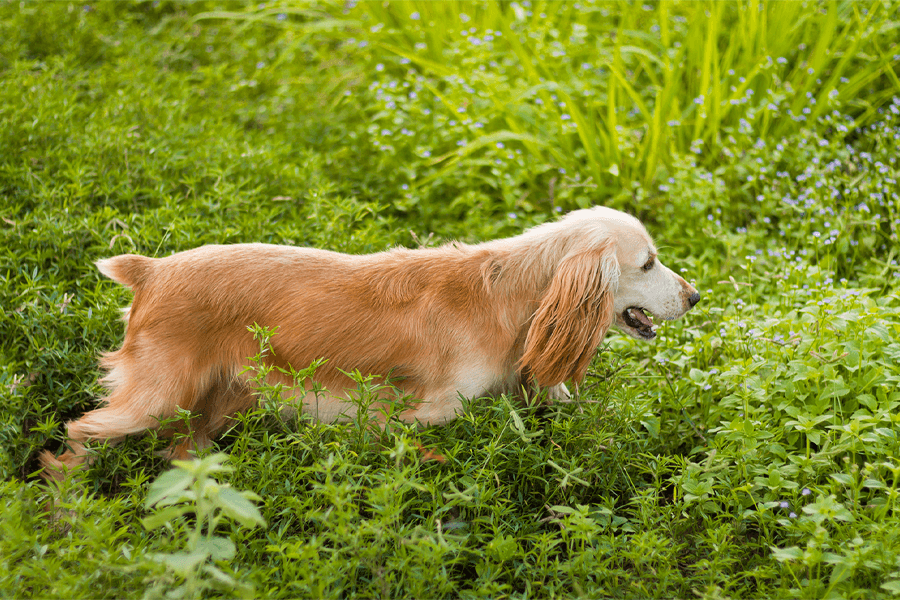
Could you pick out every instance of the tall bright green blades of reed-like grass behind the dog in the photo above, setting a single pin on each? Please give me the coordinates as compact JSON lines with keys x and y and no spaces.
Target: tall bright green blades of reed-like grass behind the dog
{"x":622,"y":89}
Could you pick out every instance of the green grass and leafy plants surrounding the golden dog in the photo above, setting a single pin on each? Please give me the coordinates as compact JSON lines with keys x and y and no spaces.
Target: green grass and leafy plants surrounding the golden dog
{"x":751,"y":451}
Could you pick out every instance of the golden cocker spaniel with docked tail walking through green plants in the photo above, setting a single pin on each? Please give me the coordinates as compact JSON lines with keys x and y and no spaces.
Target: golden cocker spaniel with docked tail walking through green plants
{"x":500,"y":317}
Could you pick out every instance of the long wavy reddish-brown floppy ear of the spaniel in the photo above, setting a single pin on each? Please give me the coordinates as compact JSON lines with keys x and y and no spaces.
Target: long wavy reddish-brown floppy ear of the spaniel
{"x":574,"y":315}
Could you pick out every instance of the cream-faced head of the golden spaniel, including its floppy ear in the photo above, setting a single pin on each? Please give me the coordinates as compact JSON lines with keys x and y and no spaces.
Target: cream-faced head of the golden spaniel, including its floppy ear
{"x":609,"y":274}
